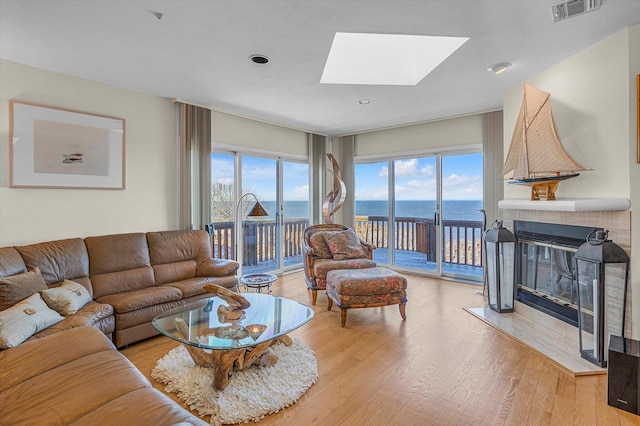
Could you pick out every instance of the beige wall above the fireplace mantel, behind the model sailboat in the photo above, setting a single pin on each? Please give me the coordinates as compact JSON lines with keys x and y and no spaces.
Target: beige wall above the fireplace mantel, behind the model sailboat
{"x":594,"y":107}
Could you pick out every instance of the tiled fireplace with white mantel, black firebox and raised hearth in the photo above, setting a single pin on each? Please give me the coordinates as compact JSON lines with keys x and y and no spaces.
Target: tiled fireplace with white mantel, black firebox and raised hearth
{"x":556,"y":339}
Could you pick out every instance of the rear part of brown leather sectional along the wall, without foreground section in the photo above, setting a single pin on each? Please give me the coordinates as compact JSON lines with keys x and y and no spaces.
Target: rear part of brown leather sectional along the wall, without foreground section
{"x":131,"y":277}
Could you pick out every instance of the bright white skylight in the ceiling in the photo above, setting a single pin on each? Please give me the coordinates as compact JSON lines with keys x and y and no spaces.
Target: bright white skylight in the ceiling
{"x":389,"y":59}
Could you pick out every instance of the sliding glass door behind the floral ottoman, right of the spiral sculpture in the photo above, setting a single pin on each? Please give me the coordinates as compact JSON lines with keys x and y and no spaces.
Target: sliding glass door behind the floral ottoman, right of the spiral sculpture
{"x":422,"y":212}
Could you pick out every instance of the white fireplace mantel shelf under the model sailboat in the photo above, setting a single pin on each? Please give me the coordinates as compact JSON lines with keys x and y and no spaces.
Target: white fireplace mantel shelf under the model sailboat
{"x":567,"y":204}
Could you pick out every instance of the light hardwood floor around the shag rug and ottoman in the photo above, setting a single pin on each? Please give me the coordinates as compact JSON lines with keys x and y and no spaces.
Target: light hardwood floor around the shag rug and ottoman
{"x":442,"y":366}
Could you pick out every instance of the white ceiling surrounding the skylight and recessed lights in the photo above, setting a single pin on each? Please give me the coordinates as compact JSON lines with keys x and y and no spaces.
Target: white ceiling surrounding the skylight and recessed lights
{"x":200,"y":51}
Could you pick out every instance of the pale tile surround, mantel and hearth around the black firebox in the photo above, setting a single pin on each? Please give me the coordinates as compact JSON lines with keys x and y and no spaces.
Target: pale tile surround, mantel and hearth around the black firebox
{"x":611,"y":214}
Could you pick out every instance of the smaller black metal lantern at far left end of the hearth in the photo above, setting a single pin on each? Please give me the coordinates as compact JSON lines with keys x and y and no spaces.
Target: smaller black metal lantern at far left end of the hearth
{"x":500,"y":246}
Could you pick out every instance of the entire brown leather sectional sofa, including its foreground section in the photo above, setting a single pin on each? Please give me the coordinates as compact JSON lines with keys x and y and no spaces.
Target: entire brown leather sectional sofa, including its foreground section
{"x":70,"y":372}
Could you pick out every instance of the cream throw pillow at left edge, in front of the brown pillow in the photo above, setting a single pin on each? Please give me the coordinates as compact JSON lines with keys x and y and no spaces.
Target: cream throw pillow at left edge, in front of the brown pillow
{"x":25,"y":319}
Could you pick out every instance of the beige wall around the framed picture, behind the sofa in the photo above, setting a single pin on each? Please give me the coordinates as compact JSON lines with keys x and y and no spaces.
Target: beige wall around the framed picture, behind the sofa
{"x":150,"y":200}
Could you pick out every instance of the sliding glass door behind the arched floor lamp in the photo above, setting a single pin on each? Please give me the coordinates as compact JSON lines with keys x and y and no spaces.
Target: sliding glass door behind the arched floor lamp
{"x":268,"y":243}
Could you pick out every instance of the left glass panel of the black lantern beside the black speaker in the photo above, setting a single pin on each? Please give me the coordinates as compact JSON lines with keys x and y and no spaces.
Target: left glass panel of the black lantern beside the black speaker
{"x":588,"y":288}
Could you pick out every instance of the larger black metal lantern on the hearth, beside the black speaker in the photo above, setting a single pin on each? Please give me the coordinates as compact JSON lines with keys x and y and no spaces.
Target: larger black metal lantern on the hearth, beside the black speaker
{"x":602,"y":272}
